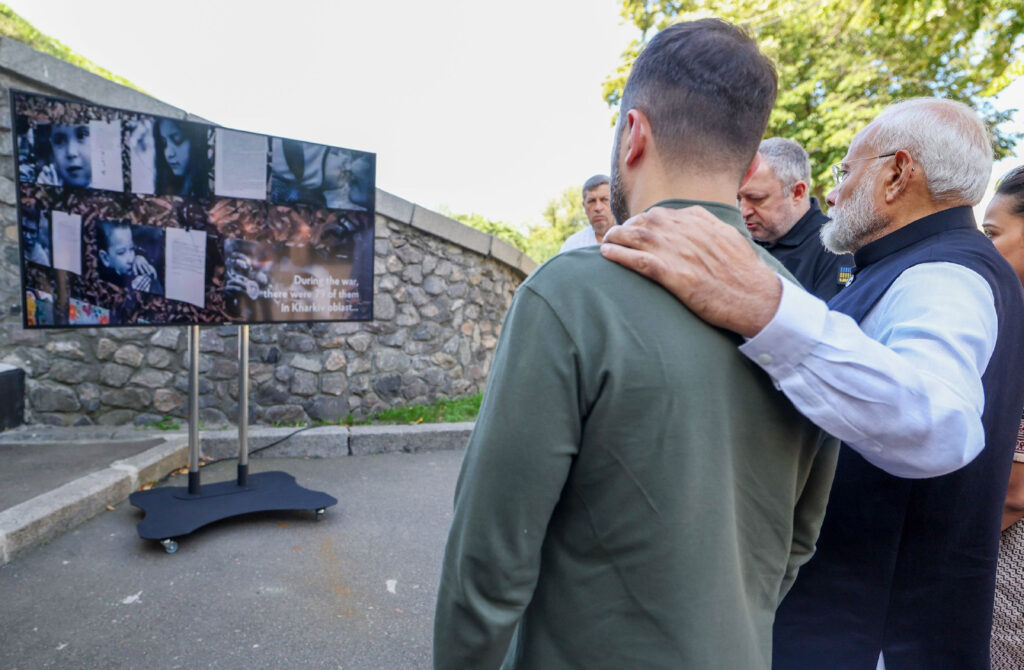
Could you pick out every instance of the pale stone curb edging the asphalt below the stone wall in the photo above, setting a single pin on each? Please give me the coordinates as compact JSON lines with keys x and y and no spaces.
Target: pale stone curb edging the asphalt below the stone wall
{"x":48,"y":516}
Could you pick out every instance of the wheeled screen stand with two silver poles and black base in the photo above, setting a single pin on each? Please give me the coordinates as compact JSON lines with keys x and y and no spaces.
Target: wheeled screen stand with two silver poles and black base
{"x":174,"y":512}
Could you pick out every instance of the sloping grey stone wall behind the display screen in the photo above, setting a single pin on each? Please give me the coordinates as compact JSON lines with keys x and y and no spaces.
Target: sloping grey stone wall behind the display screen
{"x":442,"y":290}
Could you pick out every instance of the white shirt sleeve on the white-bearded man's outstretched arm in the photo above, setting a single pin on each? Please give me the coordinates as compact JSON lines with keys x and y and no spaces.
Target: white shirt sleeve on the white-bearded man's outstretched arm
{"x":904,"y":389}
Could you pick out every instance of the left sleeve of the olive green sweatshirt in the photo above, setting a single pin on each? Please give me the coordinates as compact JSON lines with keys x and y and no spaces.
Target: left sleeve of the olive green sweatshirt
{"x":517,"y":464}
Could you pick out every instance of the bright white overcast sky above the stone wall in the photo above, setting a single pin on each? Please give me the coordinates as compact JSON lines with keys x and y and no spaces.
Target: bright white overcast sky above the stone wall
{"x":483,"y":107}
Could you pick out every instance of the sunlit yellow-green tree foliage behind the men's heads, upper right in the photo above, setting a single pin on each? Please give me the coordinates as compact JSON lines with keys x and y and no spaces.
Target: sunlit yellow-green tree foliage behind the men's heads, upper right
{"x":841,"y":62}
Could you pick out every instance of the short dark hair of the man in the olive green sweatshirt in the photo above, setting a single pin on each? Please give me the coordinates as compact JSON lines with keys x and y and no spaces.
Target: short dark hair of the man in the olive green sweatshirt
{"x":707,"y":91}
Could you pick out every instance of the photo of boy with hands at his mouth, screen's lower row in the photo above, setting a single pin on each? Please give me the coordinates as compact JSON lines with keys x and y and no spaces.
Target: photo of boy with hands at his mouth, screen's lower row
{"x":131,"y":257}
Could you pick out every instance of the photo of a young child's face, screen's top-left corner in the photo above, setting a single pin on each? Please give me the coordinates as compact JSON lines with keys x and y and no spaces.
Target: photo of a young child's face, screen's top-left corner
{"x":64,"y":153}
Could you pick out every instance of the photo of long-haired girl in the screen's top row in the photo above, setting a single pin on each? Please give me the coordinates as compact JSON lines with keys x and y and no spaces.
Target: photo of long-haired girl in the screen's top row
{"x":169,"y":158}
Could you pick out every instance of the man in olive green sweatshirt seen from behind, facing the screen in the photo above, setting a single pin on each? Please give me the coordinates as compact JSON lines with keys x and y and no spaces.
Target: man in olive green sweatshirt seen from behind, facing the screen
{"x":636,"y":493}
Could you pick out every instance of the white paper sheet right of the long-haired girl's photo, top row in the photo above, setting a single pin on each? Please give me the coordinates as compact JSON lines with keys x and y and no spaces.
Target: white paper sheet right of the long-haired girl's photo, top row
{"x":241,"y":161}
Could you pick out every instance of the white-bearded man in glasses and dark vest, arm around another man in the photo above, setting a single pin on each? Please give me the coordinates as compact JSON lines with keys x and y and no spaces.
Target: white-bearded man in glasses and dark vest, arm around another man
{"x":914,"y":366}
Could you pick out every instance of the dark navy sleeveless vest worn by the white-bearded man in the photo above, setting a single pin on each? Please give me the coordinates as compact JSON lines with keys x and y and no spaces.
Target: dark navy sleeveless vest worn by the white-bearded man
{"x":908,"y":567}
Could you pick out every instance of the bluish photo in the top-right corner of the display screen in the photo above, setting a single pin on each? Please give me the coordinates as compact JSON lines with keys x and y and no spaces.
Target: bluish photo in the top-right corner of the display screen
{"x":320,"y":177}
